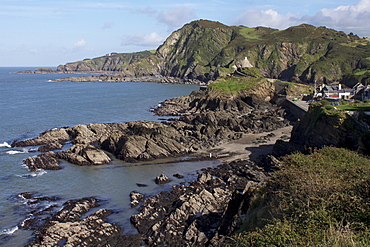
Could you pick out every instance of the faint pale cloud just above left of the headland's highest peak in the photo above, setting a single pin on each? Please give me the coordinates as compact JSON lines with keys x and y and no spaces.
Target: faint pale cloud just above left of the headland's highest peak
{"x":175,"y":18}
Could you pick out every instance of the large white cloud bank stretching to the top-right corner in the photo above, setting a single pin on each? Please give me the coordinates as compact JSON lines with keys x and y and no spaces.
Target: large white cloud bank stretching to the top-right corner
{"x":349,"y":18}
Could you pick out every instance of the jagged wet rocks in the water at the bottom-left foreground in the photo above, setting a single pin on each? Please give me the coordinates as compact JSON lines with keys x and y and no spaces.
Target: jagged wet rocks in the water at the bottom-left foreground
{"x":68,"y":228}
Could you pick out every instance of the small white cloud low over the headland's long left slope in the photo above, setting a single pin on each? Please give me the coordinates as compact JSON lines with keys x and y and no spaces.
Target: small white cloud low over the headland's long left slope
{"x":140,"y":39}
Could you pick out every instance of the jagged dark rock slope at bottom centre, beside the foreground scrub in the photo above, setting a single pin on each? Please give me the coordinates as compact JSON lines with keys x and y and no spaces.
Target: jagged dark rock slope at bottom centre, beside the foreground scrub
{"x":199,"y":214}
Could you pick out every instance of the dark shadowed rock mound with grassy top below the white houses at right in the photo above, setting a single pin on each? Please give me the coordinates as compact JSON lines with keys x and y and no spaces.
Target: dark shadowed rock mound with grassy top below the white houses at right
{"x":324,"y":125}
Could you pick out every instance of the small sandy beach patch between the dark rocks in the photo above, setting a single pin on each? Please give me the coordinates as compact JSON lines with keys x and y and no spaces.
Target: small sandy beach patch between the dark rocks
{"x":250,"y":146}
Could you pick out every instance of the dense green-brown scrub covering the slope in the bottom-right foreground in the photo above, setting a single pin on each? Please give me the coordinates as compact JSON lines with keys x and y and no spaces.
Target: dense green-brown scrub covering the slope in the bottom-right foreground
{"x":321,"y":199}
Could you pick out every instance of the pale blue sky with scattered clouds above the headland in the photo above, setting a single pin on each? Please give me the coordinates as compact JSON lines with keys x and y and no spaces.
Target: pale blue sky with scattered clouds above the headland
{"x":47,"y":33}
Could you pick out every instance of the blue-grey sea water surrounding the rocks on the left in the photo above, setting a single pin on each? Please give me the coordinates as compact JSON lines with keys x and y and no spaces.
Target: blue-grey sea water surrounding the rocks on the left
{"x":32,"y":103}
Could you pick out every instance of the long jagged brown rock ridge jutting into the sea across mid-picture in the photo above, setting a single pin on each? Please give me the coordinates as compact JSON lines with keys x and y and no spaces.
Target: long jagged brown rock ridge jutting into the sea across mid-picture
{"x":206,"y":120}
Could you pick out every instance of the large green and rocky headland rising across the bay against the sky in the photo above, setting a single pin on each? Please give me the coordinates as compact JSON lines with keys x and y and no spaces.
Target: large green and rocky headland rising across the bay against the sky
{"x":206,"y":50}
